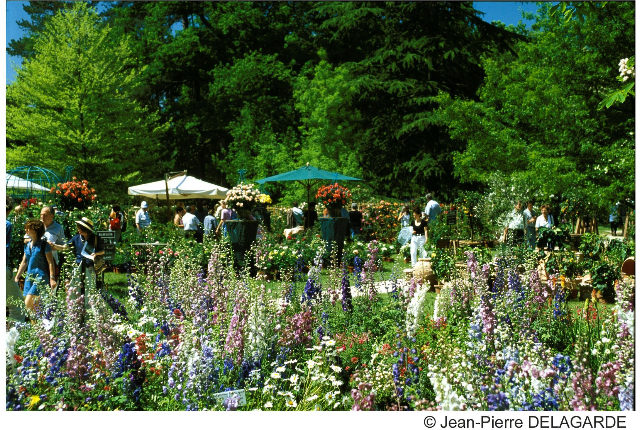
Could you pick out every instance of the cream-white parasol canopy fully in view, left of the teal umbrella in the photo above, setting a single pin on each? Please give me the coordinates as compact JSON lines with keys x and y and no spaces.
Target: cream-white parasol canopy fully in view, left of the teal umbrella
{"x":180,"y":188}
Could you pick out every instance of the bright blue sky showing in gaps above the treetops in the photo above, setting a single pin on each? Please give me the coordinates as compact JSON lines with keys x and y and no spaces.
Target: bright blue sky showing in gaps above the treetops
{"x":507,"y":12}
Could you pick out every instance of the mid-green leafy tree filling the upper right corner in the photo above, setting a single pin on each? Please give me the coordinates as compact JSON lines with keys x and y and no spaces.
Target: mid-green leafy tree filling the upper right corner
{"x":537,"y":119}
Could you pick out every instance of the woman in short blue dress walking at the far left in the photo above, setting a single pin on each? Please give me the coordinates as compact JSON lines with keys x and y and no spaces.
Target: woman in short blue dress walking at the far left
{"x":38,"y":263}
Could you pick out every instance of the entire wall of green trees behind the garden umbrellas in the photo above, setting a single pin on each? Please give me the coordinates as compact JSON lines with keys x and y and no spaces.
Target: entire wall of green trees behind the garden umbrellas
{"x":409,"y":96}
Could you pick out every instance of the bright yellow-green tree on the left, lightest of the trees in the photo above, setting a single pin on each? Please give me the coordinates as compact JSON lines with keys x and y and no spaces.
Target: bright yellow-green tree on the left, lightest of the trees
{"x":72,"y":104}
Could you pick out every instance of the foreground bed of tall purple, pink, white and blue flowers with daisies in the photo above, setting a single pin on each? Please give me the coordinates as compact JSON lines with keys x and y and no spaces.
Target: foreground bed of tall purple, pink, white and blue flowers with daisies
{"x":495,"y":339}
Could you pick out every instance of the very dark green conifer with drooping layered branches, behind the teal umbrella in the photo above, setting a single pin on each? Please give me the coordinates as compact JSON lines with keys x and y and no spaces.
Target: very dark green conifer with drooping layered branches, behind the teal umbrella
{"x":399,"y":56}
